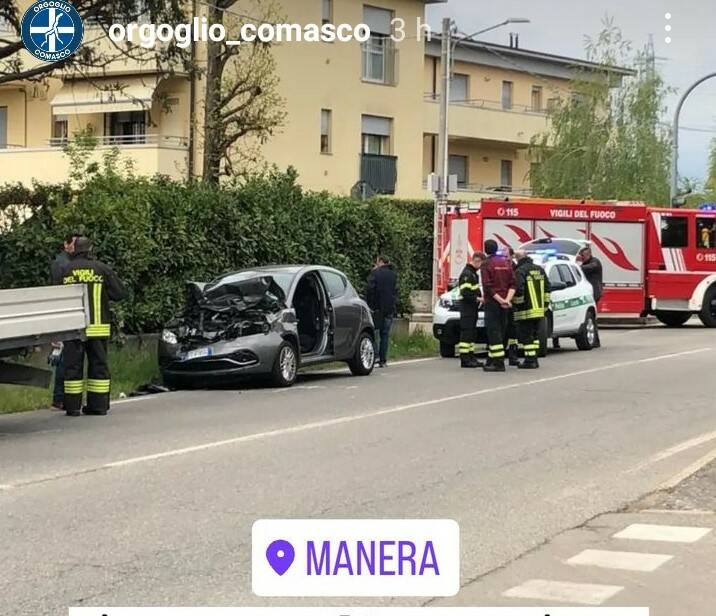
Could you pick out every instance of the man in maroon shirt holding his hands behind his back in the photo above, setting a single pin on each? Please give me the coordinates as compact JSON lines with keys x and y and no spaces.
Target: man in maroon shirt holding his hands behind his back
{"x":498,"y":286}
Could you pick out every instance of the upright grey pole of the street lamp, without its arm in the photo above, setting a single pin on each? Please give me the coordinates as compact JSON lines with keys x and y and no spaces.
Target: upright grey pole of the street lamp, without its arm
{"x":442,"y":167}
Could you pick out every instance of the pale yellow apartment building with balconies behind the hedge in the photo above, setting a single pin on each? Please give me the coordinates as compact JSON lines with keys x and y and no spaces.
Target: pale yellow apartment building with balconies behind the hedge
{"x":357,"y":115}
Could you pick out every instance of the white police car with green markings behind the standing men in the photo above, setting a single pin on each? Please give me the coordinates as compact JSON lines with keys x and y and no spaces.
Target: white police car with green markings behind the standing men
{"x":572,"y":312}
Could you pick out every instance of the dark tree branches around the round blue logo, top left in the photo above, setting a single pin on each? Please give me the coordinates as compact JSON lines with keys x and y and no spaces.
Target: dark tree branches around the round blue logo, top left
{"x":14,"y":64}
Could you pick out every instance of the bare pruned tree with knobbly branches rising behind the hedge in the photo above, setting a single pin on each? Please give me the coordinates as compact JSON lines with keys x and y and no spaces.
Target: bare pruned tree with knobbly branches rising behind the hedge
{"x":241,"y":100}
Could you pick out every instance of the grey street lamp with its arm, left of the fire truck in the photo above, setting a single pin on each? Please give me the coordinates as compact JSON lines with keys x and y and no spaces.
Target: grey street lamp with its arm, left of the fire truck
{"x":443,"y":192}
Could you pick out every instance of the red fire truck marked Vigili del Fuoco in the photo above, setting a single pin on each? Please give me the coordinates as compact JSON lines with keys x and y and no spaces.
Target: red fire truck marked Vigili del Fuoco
{"x":656,"y":261}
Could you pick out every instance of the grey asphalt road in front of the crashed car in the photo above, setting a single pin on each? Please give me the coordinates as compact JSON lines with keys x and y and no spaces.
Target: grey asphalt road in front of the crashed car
{"x":154,"y":504}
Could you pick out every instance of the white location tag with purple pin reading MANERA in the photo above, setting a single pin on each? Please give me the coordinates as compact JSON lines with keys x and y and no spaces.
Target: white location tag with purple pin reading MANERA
{"x":351,"y":558}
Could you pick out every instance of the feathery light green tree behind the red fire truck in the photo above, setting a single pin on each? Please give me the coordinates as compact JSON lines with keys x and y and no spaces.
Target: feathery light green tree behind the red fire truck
{"x":607,"y":142}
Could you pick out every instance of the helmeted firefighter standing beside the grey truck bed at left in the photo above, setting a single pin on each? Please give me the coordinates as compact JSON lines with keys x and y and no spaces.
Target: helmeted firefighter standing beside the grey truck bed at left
{"x":103,"y":286}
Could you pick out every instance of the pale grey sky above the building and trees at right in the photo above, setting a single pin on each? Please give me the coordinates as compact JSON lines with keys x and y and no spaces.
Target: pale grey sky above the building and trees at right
{"x":560,"y":26}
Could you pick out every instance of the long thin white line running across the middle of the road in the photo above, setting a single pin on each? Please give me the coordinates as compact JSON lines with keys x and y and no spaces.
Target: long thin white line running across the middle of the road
{"x":327,"y":423}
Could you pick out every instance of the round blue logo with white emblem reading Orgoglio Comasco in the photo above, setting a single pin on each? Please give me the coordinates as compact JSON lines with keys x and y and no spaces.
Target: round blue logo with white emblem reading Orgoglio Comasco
{"x":52,"y":30}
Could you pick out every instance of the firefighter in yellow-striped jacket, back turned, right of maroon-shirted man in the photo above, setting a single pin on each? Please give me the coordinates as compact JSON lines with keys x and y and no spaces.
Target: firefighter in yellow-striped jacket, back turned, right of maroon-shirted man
{"x":532,"y":294}
